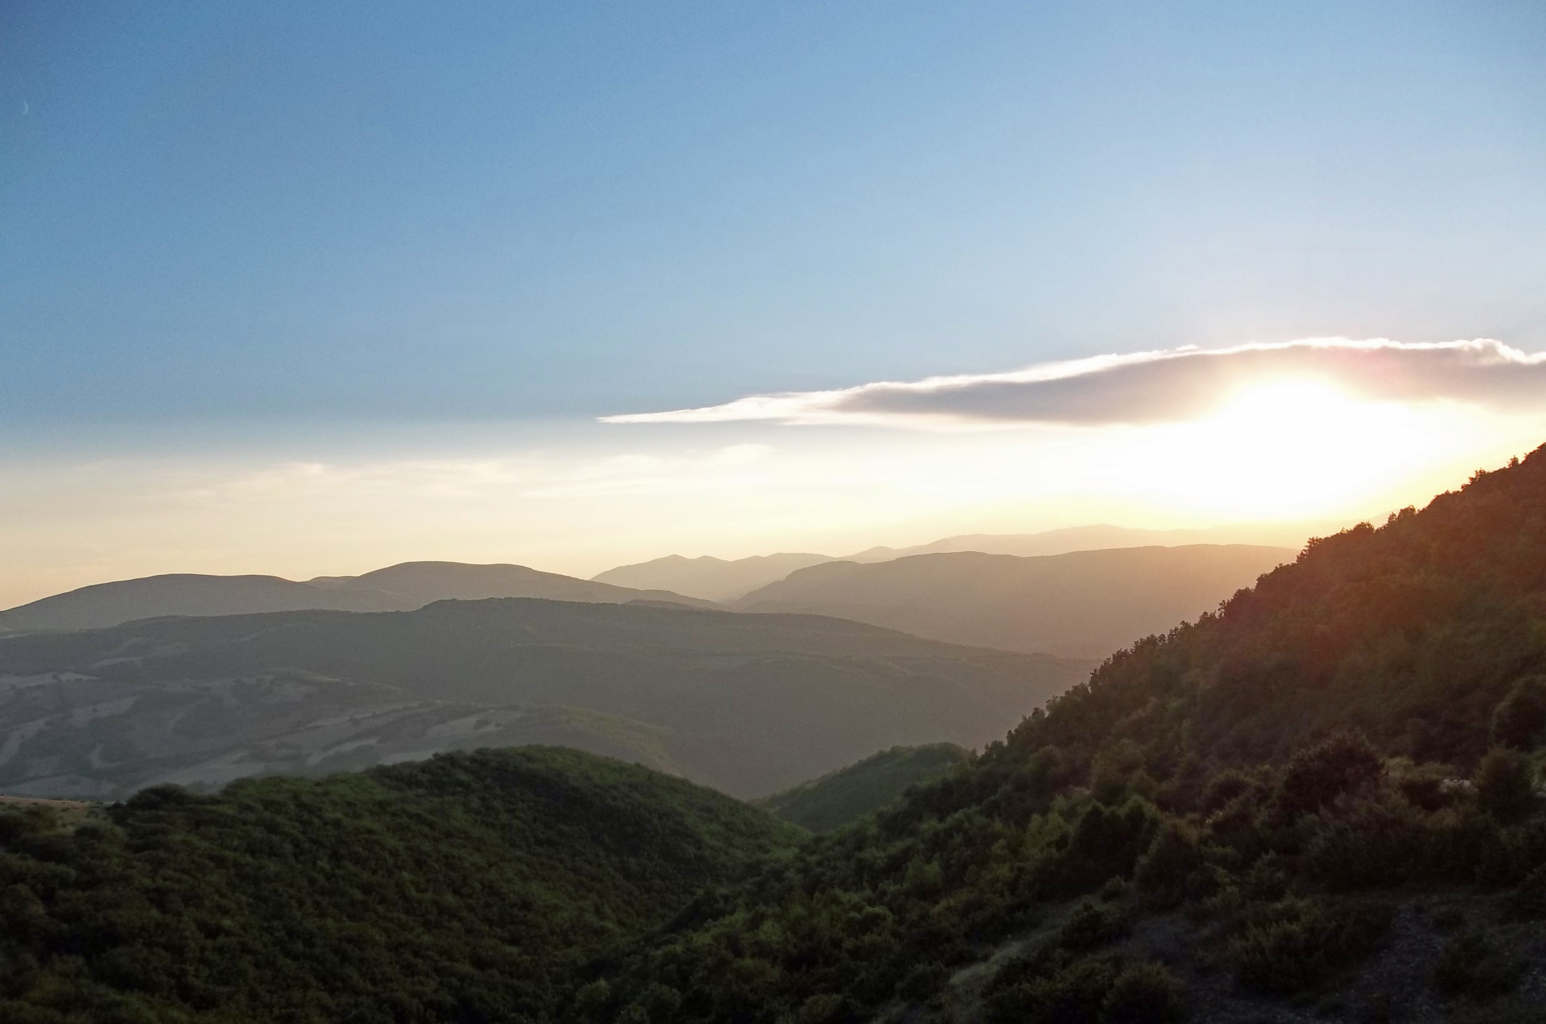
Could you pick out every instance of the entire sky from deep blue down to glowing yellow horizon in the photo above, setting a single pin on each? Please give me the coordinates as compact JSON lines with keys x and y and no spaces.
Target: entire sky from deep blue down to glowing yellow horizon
{"x":316,"y":288}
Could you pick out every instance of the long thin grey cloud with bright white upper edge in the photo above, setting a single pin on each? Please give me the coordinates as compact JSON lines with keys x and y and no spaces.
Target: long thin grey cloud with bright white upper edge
{"x":1153,"y":387}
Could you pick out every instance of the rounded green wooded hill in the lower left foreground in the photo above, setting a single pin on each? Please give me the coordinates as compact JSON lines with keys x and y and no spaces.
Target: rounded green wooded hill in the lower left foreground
{"x":463,"y":889}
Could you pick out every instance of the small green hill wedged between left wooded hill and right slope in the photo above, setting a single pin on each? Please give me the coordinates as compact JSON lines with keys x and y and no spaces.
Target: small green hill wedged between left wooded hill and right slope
{"x":877,"y":782}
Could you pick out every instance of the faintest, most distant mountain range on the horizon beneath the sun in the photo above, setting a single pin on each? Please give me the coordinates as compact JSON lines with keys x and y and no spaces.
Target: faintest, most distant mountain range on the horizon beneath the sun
{"x":727,"y":581}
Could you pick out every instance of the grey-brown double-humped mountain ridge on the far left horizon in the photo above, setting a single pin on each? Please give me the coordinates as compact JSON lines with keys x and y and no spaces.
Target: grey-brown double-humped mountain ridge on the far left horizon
{"x":395,"y":589}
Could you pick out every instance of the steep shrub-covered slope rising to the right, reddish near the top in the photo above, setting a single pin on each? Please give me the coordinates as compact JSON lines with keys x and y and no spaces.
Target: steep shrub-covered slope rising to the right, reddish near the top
{"x":1316,"y":802}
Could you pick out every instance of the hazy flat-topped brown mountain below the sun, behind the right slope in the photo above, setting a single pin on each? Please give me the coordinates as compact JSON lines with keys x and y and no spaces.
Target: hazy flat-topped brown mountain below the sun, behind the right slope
{"x":1080,"y":604}
